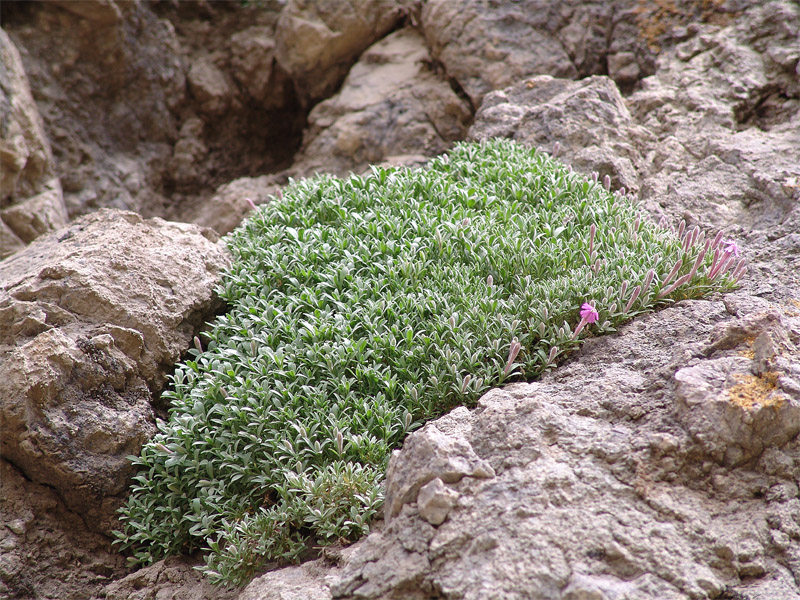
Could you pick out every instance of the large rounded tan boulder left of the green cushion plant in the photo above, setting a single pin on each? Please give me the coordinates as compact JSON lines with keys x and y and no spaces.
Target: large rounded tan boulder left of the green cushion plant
{"x":94,"y":316}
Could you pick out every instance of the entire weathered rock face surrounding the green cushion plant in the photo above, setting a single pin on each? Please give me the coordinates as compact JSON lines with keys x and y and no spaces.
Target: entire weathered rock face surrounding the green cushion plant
{"x":658,"y":463}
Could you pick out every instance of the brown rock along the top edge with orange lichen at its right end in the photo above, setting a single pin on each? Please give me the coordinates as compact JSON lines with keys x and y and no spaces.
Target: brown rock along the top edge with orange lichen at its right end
{"x":487,"y":46}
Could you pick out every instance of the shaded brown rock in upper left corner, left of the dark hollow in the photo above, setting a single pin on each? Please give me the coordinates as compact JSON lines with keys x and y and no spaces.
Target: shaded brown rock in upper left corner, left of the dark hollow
{"x":106,"y":77}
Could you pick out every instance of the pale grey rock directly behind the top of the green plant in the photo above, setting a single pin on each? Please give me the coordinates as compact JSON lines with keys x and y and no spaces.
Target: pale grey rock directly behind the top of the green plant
{"x":588,"y":119}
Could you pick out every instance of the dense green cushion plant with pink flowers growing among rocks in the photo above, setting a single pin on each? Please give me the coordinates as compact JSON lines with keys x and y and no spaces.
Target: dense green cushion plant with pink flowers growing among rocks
{"x":360,"y":308}
